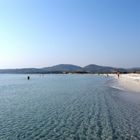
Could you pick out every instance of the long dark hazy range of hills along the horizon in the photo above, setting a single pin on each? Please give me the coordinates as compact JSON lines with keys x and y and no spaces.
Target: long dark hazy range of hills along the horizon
{"x":66,"y":68}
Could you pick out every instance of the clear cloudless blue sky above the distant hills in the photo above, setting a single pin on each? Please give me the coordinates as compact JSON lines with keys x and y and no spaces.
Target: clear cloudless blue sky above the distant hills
{"x":40,"y":33}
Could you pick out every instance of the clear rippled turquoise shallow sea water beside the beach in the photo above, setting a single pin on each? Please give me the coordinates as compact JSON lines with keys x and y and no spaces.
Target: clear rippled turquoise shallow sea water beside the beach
{"x":67,"y":107}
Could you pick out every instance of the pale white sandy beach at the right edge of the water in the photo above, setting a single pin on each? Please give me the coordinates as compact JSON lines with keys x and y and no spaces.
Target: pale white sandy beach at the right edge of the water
{"x":129,"y":81}
